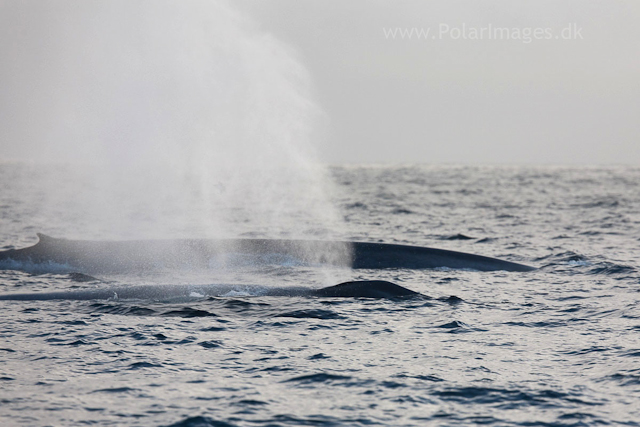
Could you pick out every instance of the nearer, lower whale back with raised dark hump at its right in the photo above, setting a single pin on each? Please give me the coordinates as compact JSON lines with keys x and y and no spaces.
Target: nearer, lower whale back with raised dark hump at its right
{"x":378,"y":289}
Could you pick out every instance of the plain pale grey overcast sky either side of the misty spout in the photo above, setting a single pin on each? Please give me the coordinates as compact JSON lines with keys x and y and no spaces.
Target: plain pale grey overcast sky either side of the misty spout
{"x":530,"y":81}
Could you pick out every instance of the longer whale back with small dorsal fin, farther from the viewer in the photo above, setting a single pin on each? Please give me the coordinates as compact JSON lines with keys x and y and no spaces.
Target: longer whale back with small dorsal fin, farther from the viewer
{"x":90,"y":256}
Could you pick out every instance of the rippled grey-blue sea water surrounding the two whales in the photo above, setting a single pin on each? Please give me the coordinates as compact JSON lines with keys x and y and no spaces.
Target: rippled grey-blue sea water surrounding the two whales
{"x":559,"y":346}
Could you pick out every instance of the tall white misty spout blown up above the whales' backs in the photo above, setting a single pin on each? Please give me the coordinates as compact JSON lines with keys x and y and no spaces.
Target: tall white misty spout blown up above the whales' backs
{"x":181,"y":118}
